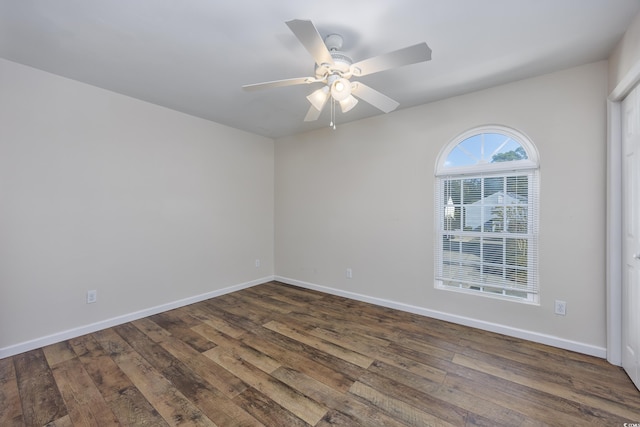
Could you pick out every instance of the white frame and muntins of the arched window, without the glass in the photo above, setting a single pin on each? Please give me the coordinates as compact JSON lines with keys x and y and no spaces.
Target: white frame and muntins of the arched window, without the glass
{"x":481,"y":170}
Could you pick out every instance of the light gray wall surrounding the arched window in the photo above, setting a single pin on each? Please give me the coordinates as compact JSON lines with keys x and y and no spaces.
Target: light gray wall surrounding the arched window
{"x":362,"y":197}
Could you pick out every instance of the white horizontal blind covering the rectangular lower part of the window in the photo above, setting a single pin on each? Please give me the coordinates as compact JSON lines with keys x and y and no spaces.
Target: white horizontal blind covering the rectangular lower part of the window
{"x":487,"y":234}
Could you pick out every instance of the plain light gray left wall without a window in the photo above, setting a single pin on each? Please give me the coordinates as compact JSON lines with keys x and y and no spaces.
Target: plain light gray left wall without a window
{"x":100,"y":191}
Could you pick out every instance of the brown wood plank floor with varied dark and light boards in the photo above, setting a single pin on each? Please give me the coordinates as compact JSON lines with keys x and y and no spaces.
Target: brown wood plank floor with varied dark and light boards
{"x":277,"y":355}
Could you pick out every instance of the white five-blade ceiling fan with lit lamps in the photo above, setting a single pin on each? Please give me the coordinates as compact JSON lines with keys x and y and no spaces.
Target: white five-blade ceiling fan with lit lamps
{"x":334,"y":69}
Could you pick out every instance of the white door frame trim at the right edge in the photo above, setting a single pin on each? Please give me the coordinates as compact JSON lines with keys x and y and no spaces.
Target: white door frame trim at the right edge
{"x":614,"y":214}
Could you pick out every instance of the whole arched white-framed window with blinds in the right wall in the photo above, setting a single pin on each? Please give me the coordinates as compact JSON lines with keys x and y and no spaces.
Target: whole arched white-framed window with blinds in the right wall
{"x":487,"y":214}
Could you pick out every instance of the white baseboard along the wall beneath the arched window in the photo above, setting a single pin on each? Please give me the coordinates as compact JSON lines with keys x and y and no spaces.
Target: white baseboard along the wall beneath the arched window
{"x":461,"y":320}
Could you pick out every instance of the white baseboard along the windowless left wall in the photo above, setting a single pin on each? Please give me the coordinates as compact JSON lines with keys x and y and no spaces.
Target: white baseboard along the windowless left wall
{"x":114,"y":321}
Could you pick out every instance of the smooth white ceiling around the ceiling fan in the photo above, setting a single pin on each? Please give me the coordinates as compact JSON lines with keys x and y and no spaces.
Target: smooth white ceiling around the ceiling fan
{"x":194,"y":55}
